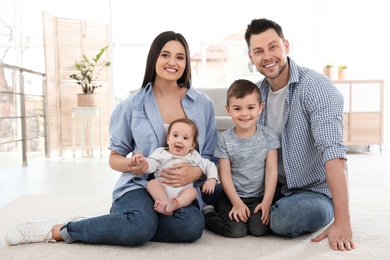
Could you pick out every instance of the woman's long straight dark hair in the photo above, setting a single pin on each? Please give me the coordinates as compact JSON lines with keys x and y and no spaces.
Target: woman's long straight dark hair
{"x":154,"y":52}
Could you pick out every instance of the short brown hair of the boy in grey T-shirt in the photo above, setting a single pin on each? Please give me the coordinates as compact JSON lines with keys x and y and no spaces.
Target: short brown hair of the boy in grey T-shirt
{"x":242,"y":87}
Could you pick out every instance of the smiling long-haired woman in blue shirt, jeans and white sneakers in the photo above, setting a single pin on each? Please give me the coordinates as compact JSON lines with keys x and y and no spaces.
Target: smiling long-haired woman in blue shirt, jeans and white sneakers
{"x":139,"y":124}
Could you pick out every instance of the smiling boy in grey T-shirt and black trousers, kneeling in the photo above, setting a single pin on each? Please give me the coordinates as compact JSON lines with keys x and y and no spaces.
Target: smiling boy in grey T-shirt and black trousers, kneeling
{"x":248,"y":171}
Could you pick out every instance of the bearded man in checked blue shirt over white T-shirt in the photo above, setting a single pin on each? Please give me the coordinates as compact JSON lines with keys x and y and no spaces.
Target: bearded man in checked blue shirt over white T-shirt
{"x":306,"y":111}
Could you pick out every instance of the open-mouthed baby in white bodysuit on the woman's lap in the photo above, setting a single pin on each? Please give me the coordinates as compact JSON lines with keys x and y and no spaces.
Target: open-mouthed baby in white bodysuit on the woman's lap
{"x":182,"y":137}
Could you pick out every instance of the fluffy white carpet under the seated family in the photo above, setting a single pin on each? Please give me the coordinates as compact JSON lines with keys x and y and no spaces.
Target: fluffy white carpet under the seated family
{"x":370,"y":221}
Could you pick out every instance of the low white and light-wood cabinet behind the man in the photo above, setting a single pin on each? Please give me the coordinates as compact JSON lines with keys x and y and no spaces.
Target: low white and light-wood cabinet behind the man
{"x":363,"y":111}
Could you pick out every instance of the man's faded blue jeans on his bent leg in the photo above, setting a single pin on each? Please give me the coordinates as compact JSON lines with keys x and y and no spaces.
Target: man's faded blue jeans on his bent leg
{"x":300,"y":212}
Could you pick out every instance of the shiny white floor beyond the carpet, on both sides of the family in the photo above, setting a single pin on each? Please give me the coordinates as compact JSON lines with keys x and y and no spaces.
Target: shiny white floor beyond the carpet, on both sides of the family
{"x":367,"y":170}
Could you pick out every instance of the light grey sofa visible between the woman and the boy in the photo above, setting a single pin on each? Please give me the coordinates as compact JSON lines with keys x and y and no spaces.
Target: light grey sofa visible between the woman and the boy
{"x":218,"y":97}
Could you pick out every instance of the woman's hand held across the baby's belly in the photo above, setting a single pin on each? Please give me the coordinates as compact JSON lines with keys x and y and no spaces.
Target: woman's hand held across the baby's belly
{"x":180,"y":174}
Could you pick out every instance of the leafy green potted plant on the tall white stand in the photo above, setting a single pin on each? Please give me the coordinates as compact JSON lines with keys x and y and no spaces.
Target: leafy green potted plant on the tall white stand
{"x":89,"y":70}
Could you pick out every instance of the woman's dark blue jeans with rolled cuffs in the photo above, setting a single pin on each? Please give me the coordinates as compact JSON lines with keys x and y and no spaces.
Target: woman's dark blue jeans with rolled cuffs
{"x":133,"y":221}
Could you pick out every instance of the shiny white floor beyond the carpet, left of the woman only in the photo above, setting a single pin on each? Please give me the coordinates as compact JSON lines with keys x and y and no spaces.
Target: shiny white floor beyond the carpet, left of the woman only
{"x":50,"y":176}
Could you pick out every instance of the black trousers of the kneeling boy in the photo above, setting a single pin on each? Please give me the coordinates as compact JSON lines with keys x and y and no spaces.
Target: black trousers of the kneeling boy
{"x":221,"y":224}
